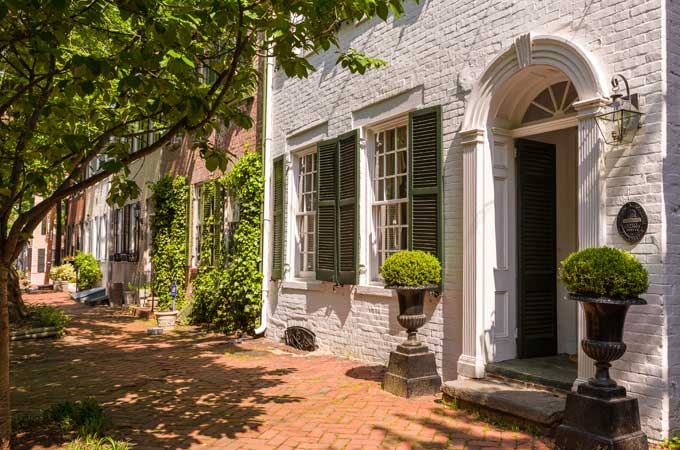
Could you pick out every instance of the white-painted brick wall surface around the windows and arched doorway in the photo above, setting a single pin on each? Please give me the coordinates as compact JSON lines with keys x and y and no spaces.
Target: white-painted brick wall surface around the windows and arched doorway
{"x":444,"y":46}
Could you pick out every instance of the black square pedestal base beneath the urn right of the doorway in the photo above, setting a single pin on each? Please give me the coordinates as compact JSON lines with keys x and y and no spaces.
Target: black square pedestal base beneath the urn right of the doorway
{"x":604,"y":419}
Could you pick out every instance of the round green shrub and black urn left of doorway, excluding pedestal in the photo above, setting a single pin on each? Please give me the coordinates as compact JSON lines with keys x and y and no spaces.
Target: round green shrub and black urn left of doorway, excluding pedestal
{"x":411,"y":273}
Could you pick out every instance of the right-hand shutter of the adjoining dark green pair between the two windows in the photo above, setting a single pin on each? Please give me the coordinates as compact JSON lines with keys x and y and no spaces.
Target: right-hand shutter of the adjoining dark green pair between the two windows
{"x":348,"y":214}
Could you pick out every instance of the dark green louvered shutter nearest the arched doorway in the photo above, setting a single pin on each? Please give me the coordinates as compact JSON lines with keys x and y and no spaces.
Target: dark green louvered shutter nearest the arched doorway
{"x":425,"y":205}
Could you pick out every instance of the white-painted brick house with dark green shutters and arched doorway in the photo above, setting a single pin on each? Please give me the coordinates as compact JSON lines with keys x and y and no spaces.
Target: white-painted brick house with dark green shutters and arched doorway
{"x":468,"y":88}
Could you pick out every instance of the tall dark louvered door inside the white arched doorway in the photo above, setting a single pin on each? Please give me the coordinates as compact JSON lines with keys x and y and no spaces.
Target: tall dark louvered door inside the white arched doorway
{"x":537,"y":271}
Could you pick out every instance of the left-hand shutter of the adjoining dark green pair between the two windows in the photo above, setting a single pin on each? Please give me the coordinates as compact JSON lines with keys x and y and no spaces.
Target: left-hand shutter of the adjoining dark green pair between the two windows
{"x":326,"y":212}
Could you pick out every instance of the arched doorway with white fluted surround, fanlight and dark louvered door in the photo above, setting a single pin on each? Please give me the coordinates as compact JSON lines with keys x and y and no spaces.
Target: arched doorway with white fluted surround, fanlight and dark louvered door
{"x":532,"y":110}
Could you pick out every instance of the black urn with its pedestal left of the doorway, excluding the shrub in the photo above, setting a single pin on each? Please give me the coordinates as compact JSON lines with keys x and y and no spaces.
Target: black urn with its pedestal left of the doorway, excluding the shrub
{"x":412,"y":370}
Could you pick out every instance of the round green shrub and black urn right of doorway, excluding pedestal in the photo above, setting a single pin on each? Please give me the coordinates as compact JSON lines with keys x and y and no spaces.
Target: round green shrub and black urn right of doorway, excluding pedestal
{"x":606,"y":282}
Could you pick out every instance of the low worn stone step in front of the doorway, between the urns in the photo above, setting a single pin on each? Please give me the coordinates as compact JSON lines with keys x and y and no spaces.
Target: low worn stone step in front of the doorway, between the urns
{"x":512,"y":403}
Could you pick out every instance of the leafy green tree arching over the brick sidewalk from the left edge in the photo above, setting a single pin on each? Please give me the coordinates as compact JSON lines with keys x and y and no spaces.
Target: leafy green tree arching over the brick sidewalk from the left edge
{"x":80,"y":78}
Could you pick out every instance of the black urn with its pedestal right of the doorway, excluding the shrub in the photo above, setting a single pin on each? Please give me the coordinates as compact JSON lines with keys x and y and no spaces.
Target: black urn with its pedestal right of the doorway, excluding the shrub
{"x":600,"y":415}
